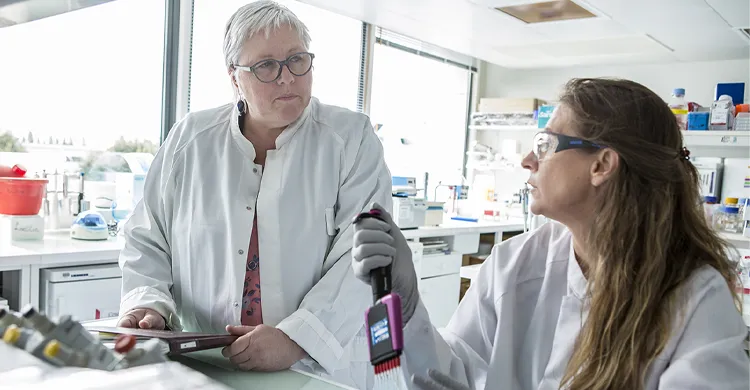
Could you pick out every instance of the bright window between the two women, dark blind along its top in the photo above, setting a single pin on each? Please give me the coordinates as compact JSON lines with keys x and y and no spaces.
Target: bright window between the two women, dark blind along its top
{"x":419,"y":107}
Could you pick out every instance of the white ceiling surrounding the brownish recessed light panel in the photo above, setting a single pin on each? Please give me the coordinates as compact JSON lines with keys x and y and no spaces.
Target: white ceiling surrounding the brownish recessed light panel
{"x":694,"y":29}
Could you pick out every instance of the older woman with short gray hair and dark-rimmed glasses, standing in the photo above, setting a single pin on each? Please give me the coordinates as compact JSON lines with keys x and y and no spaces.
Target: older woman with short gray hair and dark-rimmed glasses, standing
{"x":245,"y":224}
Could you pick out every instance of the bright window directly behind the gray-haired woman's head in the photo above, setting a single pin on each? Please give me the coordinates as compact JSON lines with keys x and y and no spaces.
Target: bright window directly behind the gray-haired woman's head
{"x":336,"y":42}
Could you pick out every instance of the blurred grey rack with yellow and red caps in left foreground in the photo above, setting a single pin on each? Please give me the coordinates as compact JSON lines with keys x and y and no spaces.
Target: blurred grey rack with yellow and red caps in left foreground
{"x":68,"y":343}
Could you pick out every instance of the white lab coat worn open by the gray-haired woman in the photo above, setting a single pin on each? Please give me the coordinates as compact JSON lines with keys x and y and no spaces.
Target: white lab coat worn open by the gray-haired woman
{"x":186,"y":242}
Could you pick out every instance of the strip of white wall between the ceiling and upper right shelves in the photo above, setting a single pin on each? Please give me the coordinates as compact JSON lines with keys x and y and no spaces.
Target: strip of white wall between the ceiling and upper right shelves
{"x":698,"y":78}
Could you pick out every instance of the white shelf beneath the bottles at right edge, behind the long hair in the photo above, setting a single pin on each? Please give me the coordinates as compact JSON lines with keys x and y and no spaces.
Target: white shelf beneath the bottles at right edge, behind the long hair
{"x":710,"y":143}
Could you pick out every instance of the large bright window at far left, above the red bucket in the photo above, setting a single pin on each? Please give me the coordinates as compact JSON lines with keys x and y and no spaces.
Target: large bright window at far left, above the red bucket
{"x":82,"y":92}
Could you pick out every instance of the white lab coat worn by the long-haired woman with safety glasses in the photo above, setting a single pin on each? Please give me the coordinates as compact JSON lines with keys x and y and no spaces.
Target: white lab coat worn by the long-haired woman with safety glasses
{"x":516,"y":326}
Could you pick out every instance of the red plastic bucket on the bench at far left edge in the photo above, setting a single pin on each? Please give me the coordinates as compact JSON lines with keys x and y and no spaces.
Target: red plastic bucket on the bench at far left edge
{"x":21,"y":196}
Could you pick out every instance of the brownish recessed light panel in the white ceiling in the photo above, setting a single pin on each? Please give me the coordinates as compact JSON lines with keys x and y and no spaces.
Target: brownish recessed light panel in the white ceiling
{"x":549,"y":11}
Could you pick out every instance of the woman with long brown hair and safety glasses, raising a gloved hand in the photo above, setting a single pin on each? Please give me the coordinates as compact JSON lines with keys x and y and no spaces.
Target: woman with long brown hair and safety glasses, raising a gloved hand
{"x":628,"y":288}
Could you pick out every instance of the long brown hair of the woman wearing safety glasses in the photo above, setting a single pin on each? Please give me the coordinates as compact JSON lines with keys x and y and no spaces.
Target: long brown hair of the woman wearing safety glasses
{"x":648,"y":237}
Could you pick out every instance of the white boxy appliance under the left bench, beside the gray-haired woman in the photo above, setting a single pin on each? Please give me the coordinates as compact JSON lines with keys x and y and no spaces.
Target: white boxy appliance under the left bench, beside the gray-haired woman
{"x":84,"y":292}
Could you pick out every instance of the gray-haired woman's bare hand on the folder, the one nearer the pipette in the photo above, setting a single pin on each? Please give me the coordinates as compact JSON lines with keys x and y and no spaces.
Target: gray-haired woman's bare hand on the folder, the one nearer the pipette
{"x":262,"y":348}
